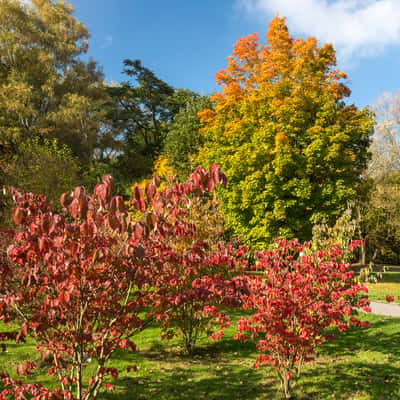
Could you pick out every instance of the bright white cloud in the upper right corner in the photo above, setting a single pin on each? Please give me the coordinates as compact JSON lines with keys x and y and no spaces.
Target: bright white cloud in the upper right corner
{"x":357,"y":28}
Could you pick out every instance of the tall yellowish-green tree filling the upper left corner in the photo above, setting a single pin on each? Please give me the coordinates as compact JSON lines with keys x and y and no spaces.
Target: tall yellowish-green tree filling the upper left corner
{"x":45,"y":88}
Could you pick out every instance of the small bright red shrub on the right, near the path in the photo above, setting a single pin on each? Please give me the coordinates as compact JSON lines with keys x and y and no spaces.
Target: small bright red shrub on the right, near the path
{"x":294,"y":299}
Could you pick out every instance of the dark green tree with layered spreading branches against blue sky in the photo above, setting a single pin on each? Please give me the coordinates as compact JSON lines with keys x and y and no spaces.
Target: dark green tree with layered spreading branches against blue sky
{"x":141,"y":110}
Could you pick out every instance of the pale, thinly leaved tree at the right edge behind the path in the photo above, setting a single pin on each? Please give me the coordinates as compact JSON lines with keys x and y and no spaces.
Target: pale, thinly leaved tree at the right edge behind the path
{"x":380,"y":210}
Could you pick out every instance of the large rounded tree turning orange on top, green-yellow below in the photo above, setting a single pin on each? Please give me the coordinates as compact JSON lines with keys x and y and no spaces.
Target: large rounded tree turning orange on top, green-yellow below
{"x":290,"y":145}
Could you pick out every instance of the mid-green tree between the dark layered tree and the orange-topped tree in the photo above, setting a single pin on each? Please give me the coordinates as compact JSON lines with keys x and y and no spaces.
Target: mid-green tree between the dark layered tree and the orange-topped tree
{"x":183,"y":140}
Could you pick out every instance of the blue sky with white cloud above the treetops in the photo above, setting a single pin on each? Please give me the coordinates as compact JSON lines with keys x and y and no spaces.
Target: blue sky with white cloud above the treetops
{"x":185,"y":42}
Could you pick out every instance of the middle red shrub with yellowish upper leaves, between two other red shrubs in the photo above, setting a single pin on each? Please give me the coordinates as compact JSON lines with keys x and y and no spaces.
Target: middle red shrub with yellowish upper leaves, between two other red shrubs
{"x":198,"y":266}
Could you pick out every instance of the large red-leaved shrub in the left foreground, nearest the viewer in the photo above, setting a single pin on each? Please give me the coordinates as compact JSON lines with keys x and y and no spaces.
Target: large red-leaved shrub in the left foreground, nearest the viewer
{"x":72,"y":282}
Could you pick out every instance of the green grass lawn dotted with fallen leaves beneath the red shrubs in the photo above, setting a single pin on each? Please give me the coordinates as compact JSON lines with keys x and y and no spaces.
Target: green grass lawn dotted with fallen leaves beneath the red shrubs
{"x":359,"y":364}
